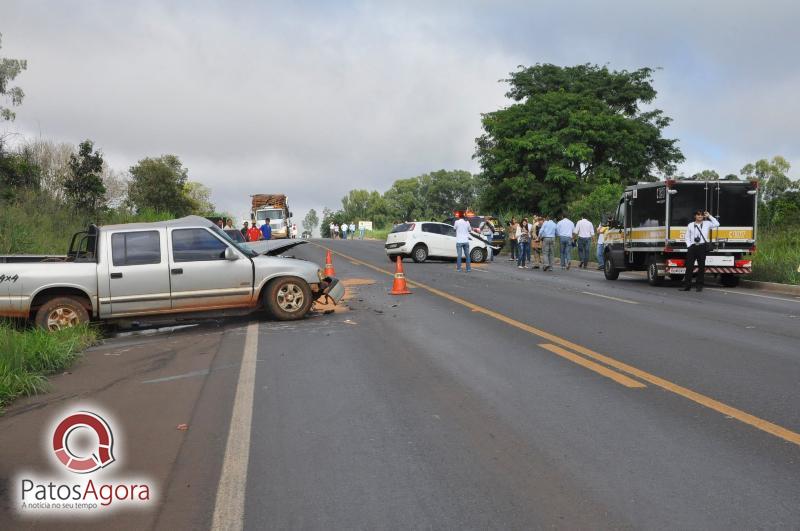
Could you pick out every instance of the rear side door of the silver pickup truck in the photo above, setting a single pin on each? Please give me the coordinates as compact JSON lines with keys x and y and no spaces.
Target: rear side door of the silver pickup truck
{"x":138,"y":273}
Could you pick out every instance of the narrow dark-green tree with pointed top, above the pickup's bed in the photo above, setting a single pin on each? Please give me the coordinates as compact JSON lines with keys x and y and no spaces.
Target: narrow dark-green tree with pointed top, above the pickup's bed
{"x":84,"y":186}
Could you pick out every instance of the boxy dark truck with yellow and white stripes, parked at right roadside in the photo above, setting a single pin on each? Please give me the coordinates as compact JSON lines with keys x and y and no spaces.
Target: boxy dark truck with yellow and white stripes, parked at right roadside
{"x":648,"y":230}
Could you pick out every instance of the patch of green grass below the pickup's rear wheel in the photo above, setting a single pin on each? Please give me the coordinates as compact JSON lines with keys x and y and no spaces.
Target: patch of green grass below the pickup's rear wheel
{"x":28,"y":356}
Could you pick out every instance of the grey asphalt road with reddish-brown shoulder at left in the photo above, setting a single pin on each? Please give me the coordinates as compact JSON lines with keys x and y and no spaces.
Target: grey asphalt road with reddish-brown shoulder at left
{"x":502,"y":398}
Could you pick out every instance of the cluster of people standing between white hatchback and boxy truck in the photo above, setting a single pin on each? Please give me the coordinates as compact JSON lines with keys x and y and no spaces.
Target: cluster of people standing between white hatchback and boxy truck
{"x":534,"y":244}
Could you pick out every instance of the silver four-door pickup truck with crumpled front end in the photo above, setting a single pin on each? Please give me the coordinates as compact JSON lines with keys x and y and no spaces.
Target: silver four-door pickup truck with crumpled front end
{"x":184,"y":268}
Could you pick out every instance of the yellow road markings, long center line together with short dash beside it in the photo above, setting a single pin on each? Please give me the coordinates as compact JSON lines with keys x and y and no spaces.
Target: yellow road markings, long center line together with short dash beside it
{"x":625,"y":374}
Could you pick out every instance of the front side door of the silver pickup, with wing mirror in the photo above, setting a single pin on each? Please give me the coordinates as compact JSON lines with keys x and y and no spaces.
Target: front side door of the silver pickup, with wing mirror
{"x":200,"y":275}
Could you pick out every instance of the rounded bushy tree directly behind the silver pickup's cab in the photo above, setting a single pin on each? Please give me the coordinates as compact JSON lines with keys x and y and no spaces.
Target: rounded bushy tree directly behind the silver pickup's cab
{"x":159,"y":184}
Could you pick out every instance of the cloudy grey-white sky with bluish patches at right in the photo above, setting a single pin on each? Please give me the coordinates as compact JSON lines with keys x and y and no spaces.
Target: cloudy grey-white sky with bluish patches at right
{"x":315,"y":98}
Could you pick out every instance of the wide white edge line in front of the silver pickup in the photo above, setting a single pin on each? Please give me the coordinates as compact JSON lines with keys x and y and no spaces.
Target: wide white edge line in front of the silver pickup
{"x":229,"y":504}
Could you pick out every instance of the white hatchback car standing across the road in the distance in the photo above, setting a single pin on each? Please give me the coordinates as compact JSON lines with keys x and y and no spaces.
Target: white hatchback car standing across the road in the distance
{"x":430,"y":239}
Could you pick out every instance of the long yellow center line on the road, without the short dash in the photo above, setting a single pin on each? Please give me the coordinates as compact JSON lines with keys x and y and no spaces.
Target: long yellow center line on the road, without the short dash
{"x":703,"y":400}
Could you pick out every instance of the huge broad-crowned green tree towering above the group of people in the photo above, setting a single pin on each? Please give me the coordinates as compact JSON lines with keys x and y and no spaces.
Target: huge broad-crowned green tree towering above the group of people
{"x":568,"y":130}
